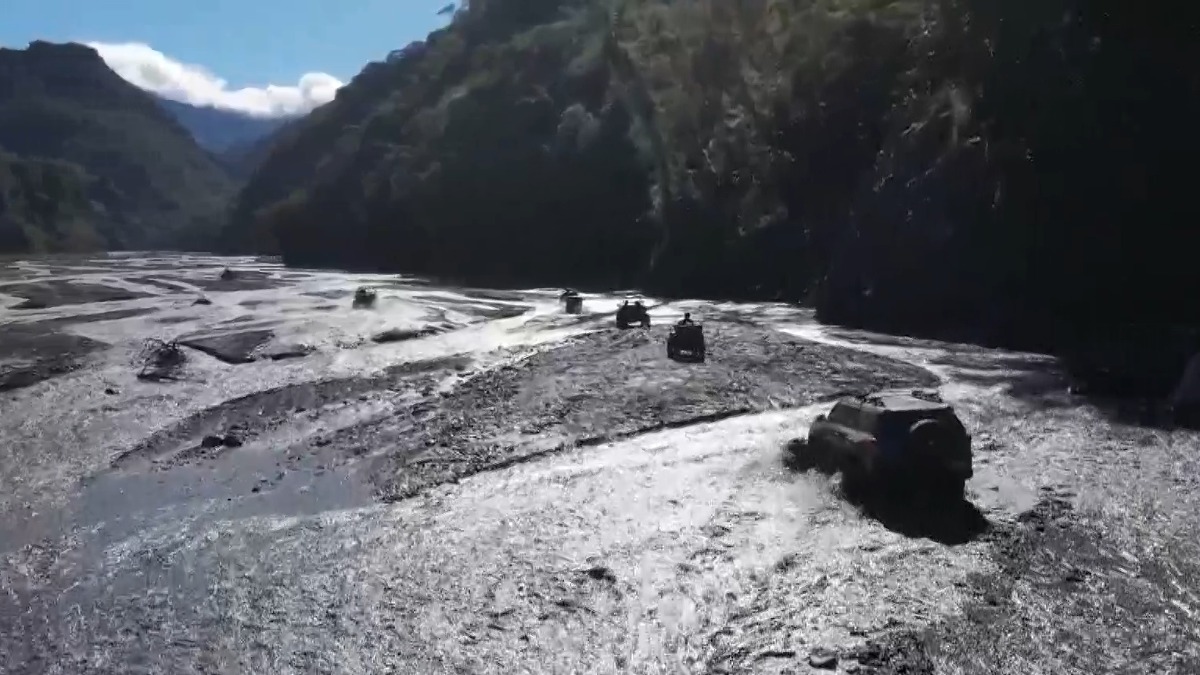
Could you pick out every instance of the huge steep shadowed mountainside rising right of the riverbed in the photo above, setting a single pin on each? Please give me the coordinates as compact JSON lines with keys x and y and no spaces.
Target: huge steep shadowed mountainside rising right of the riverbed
{"x":958,"y":168}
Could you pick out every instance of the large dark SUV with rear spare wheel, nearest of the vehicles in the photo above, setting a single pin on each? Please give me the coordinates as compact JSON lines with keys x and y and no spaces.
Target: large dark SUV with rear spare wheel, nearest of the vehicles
{"x":891,"y":445}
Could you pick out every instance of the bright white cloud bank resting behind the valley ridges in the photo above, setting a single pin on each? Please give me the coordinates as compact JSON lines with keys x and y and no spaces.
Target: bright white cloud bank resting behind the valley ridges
{"x":154,"y":71}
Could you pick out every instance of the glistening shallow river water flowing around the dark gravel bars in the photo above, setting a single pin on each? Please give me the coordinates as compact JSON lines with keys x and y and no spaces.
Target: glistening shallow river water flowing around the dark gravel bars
{"x":688,"y":551}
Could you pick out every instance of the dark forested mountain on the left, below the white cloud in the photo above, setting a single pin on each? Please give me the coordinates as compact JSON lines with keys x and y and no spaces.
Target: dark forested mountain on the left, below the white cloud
{"x":69,"y":121}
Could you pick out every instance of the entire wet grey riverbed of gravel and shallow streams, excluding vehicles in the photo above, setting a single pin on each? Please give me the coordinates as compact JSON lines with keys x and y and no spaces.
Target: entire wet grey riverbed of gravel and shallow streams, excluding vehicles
{"x":514,"y":489}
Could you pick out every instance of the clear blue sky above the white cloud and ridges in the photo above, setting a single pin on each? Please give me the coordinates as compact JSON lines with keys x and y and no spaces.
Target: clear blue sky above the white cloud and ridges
{"x":244,"y":43}
